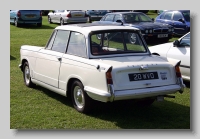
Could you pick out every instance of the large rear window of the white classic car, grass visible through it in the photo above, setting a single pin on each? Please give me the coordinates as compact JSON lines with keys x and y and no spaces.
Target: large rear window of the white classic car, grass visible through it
{"x":116,"y":42}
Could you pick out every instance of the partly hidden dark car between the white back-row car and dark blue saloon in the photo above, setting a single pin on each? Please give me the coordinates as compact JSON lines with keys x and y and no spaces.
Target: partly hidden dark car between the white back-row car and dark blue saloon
{"x":94,"y":15}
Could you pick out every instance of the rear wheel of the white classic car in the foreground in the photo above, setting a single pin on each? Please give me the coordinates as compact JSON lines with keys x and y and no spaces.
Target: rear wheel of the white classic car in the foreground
{"x":81,"y":101}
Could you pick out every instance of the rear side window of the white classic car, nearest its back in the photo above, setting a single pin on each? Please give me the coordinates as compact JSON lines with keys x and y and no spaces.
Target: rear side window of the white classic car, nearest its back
{"x":77,"y":45}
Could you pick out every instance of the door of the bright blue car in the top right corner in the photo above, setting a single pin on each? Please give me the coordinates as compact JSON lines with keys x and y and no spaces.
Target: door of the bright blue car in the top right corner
{"x":180,"y":27}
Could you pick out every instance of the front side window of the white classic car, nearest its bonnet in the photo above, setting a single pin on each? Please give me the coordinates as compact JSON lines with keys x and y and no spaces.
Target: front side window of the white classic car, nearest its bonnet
{"x":60,"y":41}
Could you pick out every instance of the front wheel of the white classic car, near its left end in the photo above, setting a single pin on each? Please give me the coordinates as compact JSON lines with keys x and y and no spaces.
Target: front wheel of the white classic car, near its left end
{"x":27,"y":75}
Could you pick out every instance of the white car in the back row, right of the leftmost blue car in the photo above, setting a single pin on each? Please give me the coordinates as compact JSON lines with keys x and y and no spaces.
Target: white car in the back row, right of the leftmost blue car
{"x":67,"y":16}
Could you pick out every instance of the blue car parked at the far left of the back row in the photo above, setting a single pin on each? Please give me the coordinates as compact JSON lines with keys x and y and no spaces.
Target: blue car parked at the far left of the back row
{"x":19,"y":17}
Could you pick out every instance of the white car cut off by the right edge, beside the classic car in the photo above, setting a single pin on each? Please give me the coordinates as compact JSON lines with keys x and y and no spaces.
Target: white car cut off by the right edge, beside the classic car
{"x":179,"y":49}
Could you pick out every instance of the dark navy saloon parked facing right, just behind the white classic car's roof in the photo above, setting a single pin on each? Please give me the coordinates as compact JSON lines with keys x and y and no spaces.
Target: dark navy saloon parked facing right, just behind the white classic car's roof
{"x":149,"y":29}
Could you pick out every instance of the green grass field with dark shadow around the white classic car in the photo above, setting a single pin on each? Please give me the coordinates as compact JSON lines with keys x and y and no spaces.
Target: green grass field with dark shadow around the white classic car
{"x":40,"y":108}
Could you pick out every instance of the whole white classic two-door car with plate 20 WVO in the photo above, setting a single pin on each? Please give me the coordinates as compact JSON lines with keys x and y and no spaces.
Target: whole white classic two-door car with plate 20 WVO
{"x":75,"y":63}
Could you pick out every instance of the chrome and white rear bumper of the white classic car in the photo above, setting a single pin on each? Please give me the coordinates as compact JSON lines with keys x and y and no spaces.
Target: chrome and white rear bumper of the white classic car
{"x":113,"y":95}
